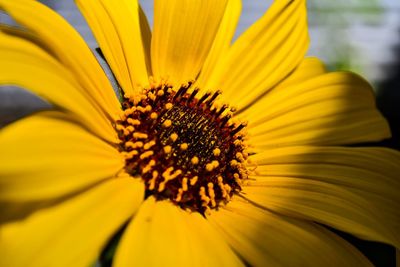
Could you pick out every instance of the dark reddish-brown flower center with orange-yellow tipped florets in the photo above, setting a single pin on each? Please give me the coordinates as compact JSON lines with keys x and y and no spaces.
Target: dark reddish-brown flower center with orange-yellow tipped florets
{"x":185,"y":148}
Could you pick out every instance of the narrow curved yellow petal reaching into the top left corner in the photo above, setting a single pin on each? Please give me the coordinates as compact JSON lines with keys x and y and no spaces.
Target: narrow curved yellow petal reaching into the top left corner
{"x":69,"y":48}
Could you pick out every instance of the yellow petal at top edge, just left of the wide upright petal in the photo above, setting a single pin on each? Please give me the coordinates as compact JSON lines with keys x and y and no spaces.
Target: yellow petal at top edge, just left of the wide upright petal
{"x":118,"y":28}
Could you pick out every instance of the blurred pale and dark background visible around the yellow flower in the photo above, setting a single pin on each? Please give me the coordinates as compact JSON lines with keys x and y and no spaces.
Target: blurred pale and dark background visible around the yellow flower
{"x":358,"y":35}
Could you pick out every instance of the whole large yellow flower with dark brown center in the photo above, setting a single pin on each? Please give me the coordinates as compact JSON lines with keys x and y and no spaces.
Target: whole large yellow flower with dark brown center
{"x":195,"y":182}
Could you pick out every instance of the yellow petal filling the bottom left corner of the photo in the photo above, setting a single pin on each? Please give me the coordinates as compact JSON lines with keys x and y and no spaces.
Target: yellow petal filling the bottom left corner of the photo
{"x":74,"y":232}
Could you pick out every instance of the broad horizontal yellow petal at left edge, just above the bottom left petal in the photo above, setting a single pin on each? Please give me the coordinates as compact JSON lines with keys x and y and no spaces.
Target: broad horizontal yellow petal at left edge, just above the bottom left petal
{"x":47,"y":156}
